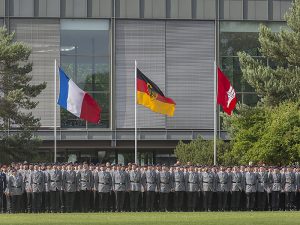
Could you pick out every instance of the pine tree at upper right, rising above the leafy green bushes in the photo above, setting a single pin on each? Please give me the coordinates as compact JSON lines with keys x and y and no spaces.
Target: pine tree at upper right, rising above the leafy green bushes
{"x":280,"y":82}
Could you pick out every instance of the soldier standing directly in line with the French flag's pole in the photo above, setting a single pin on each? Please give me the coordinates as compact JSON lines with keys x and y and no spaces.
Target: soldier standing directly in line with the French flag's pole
{"x":55,"y":181}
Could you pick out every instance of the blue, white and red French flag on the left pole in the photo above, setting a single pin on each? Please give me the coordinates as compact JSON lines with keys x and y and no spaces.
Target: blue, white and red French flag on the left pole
{"x":77,"y":101}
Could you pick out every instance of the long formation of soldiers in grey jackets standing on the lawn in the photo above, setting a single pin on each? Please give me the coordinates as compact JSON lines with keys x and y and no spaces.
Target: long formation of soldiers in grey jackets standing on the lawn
{"x":35,"y":188}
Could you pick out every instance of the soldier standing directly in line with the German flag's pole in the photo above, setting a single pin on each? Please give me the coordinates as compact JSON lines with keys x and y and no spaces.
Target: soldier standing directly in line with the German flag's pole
{"x":136,"y":181}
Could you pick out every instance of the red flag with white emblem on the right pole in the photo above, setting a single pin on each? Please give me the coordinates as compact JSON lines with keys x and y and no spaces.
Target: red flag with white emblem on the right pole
{"x":226,"y":93}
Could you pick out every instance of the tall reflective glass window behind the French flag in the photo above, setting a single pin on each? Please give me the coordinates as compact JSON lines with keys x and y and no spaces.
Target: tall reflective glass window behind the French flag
{"x":85,"y":57}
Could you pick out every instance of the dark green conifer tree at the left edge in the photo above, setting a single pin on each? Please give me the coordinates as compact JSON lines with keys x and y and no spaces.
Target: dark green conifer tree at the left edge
{"x":17,"y":123}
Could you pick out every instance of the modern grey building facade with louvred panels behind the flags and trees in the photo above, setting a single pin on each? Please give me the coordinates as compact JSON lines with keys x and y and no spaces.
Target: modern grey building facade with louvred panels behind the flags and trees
{"x":175,"y":43}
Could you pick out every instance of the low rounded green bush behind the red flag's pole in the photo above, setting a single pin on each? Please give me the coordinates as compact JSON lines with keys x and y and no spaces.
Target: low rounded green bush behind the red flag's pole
{"x":200,"y":151}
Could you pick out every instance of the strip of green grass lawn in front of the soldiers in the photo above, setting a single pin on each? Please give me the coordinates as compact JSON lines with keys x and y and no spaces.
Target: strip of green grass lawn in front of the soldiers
{"x":199,"y":218}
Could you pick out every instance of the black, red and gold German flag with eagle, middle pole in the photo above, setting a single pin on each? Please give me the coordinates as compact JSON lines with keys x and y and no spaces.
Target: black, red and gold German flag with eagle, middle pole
{"x":150,"y":96}
